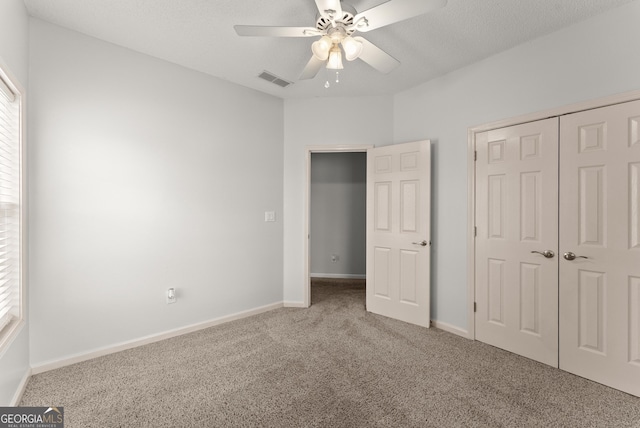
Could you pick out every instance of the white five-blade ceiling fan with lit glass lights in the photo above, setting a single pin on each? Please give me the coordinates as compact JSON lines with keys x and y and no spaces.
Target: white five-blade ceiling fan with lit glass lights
{"x":336,"y":25}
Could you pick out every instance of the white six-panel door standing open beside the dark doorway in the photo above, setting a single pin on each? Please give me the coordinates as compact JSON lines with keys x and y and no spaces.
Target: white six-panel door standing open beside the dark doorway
{"x":398,"y":231}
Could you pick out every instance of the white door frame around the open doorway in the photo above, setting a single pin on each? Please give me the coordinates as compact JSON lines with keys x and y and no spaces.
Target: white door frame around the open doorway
{"x":354,"y":148}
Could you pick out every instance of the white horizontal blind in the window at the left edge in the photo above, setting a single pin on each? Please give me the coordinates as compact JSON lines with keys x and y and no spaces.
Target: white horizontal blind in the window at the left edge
{"x":9,"y":206}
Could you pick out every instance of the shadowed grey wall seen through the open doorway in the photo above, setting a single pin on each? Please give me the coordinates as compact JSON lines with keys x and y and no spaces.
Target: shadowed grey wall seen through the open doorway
{"x":338,"y":205}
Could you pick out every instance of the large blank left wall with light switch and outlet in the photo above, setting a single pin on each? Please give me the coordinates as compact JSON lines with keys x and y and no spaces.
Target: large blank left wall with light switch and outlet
{"x":145,"y":175}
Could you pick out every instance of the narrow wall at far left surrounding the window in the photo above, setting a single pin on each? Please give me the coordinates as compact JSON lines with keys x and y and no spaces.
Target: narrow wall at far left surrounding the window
{"x":14,"y":48}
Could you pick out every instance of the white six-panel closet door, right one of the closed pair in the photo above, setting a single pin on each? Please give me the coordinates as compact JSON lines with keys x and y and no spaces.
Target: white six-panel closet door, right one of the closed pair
{"x":600,"y":226}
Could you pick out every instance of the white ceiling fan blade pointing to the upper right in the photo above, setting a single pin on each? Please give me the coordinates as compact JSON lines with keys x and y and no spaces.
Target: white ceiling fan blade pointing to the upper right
{"x":395,"y":11}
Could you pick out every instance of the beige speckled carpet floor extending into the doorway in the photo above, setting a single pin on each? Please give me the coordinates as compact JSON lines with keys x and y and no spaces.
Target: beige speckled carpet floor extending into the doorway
{"x":332,"y":365}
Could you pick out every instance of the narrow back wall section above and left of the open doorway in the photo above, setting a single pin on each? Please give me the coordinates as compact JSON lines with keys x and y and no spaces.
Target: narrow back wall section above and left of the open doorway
{"x":317,"y":122}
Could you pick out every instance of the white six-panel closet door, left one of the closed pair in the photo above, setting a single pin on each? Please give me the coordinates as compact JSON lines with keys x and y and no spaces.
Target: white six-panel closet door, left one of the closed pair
{"x":517,"y":239}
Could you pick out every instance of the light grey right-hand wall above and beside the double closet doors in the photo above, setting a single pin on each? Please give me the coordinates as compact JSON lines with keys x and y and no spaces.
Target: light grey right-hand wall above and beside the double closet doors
{"x":589,"y":60}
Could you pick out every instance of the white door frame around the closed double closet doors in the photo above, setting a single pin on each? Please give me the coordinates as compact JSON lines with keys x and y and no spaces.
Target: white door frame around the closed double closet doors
{"x":471,"y":178}
